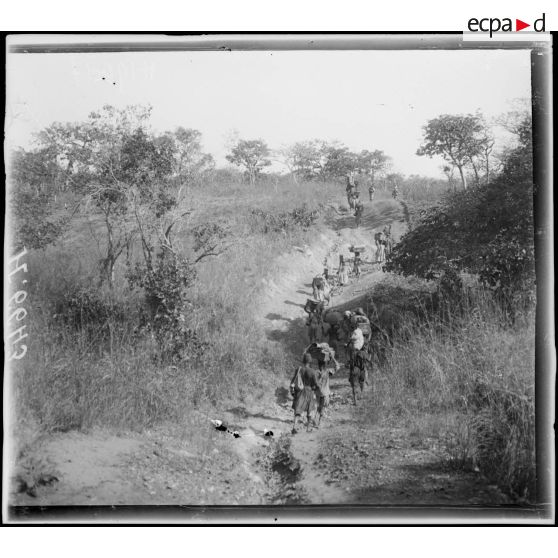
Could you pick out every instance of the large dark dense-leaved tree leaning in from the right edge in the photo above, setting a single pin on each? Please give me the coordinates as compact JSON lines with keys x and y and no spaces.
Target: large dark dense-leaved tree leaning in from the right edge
{"x":486,"y":230}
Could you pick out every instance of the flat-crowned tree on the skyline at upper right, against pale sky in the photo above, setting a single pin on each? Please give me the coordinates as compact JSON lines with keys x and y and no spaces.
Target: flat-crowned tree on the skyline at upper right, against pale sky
{"x":456,"y":138}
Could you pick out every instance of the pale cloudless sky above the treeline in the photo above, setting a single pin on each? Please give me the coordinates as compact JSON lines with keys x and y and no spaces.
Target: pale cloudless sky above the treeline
{"x":365,"y":99}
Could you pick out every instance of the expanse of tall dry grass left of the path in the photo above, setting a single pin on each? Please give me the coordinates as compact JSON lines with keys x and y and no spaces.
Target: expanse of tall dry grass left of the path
{"x":89,"y":365}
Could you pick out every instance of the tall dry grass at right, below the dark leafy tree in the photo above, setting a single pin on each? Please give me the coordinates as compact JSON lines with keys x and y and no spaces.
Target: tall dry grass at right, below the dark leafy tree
{"x":467,"y":377}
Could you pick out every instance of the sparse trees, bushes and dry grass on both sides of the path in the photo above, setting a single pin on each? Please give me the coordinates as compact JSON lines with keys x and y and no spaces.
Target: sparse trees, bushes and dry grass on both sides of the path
{"x":146,"y":263}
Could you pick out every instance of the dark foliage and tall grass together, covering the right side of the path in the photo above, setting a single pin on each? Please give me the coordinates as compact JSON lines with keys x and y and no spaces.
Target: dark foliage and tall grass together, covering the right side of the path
{"x":463,"y":362}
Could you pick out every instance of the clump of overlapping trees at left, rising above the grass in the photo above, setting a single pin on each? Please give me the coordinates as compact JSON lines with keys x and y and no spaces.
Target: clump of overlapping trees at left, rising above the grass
{"x":121,"y":169}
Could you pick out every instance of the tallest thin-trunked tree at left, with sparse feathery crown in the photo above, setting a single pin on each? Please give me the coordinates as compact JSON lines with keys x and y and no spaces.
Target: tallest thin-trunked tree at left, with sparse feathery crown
{"x":116,"y":163}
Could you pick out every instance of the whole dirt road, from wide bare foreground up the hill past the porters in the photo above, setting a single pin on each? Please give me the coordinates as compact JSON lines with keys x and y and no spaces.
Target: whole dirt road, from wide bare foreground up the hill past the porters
{"x":348,"y":460}
